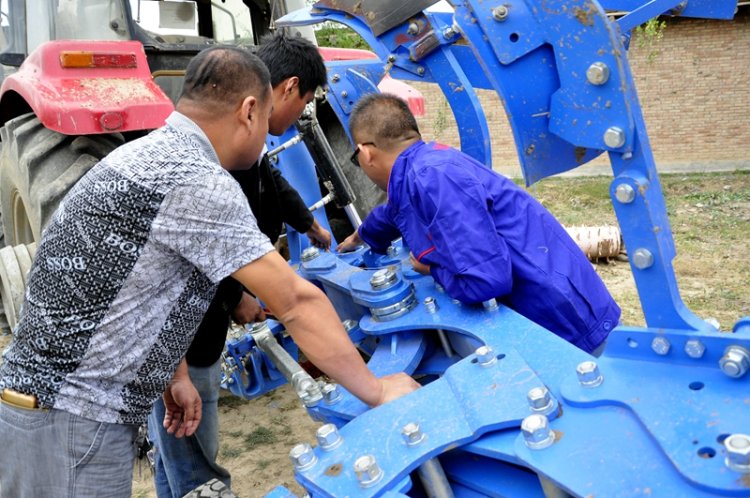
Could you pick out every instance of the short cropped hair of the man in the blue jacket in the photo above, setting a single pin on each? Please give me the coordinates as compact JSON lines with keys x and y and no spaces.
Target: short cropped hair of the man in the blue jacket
{"x":384,"y":119}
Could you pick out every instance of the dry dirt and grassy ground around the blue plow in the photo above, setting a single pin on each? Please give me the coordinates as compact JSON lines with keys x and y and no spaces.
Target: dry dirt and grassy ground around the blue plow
{"x":710,"y":219}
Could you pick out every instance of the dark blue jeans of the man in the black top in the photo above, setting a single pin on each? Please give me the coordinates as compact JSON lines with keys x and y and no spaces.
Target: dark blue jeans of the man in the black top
{"x":185,"y":463}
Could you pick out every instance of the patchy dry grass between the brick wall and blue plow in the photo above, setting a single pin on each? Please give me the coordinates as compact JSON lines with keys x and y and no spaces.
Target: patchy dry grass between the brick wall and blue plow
{"x":709,"y":215}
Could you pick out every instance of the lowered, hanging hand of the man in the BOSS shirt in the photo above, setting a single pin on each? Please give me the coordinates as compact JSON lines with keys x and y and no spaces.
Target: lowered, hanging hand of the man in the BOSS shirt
{"x":182,"y":404}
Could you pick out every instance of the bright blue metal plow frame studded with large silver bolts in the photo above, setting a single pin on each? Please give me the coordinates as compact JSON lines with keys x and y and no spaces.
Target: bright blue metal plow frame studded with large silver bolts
{"x":655,"y":424}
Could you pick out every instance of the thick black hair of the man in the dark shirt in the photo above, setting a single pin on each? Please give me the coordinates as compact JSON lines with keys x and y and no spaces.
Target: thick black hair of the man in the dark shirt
{"x":291,"y":55}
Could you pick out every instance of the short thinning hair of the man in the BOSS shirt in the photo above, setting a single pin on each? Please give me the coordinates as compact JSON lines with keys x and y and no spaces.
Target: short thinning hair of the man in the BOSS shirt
{"x":223,"y":75}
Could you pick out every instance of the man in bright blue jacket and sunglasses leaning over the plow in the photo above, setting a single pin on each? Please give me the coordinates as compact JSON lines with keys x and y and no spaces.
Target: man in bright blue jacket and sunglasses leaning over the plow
{"x":478,"y":234}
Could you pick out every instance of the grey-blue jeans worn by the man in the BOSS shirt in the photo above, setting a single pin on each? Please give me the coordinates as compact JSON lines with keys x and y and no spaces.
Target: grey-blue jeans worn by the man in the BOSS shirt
{"x":52,"y":453}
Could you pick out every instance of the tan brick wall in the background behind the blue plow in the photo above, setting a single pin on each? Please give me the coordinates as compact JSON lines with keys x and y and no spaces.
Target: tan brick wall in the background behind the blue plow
{"x":694,"y":93}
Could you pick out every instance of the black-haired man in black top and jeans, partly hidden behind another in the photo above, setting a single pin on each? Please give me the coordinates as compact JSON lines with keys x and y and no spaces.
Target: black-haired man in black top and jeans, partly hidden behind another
{"x":182,"y":464}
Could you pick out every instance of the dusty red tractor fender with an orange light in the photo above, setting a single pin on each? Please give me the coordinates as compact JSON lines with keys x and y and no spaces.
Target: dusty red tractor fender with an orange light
{"x":115,"y":93}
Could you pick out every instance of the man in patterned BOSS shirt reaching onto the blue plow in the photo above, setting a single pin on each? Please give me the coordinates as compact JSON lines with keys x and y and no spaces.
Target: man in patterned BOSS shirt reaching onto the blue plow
{"x":123,"y":276}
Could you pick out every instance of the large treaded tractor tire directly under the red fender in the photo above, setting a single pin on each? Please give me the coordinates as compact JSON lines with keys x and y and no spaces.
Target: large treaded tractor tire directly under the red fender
{"x":37,"y":168}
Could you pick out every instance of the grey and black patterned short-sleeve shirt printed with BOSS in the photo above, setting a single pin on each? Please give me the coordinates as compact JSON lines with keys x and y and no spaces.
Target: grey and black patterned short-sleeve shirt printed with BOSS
{"x":124,"y":273}
